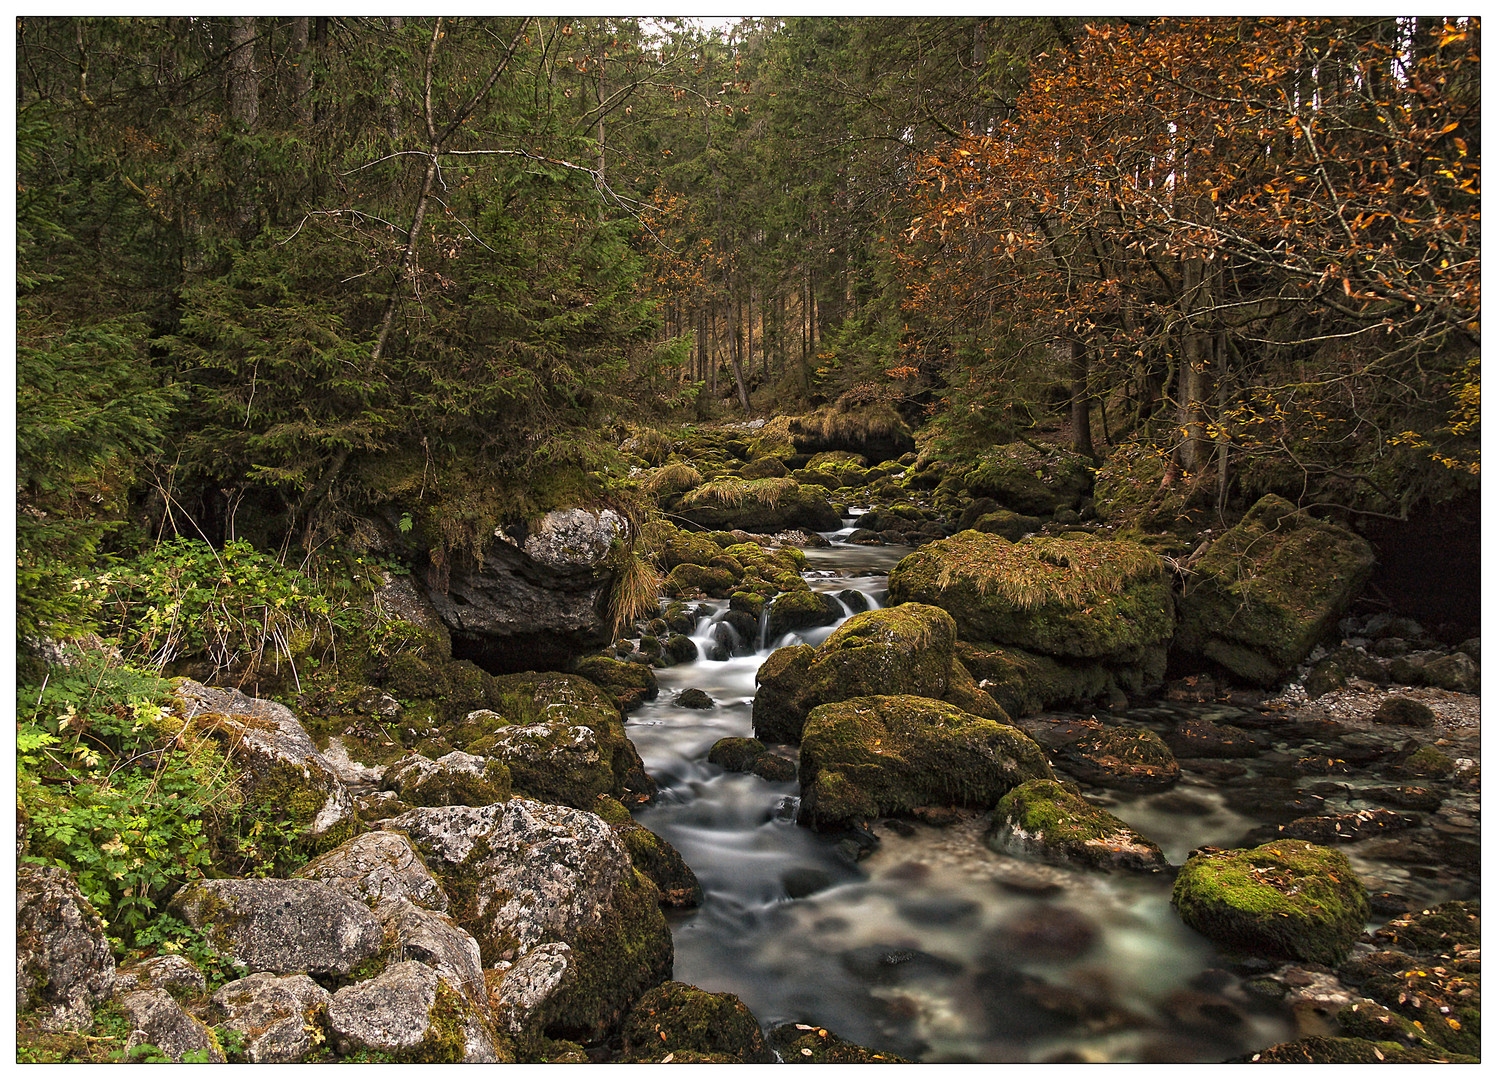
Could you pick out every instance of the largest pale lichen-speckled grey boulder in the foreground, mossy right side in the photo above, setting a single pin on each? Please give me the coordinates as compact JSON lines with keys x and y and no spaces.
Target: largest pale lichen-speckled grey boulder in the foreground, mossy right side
{"x":526,"y":874}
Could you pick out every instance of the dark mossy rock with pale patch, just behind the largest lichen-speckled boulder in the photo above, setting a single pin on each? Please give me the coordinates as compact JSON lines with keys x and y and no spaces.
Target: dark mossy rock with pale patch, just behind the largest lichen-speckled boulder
{"x":565,"y":742}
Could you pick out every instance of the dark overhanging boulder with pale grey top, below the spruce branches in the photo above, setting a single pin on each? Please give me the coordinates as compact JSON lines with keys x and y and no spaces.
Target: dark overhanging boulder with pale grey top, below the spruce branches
{"x":538,"y":595}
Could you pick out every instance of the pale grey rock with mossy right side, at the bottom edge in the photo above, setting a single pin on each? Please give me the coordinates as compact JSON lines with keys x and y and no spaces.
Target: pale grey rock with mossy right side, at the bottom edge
{"x":412,"y":1013}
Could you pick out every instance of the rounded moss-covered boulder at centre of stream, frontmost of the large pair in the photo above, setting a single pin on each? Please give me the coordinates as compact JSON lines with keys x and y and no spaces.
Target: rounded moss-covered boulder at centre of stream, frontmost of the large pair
{"x":879,"y":756}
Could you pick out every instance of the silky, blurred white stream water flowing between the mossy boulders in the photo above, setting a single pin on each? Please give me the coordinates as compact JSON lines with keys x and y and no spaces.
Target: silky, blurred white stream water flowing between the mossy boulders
{"x":933,"y":947}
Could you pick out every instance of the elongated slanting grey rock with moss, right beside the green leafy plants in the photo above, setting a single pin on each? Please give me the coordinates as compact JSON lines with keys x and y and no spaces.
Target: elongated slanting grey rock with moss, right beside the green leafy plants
{"x":285,"y":777}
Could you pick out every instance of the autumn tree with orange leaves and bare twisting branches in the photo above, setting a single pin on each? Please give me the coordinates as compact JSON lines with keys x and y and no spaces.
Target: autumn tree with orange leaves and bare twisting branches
{"x":1254,"y":243}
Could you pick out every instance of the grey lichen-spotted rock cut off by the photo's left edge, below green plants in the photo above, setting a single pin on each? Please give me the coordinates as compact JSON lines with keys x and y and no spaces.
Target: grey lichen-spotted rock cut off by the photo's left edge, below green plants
{"x":64,"y":962}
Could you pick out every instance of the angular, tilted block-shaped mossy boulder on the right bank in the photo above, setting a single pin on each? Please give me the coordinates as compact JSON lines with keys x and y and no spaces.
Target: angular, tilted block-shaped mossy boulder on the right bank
{"x":1269,"y":589}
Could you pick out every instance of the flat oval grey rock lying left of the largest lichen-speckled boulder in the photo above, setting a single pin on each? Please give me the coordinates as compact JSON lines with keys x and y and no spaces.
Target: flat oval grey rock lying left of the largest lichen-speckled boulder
{"x":282,"y":926}
